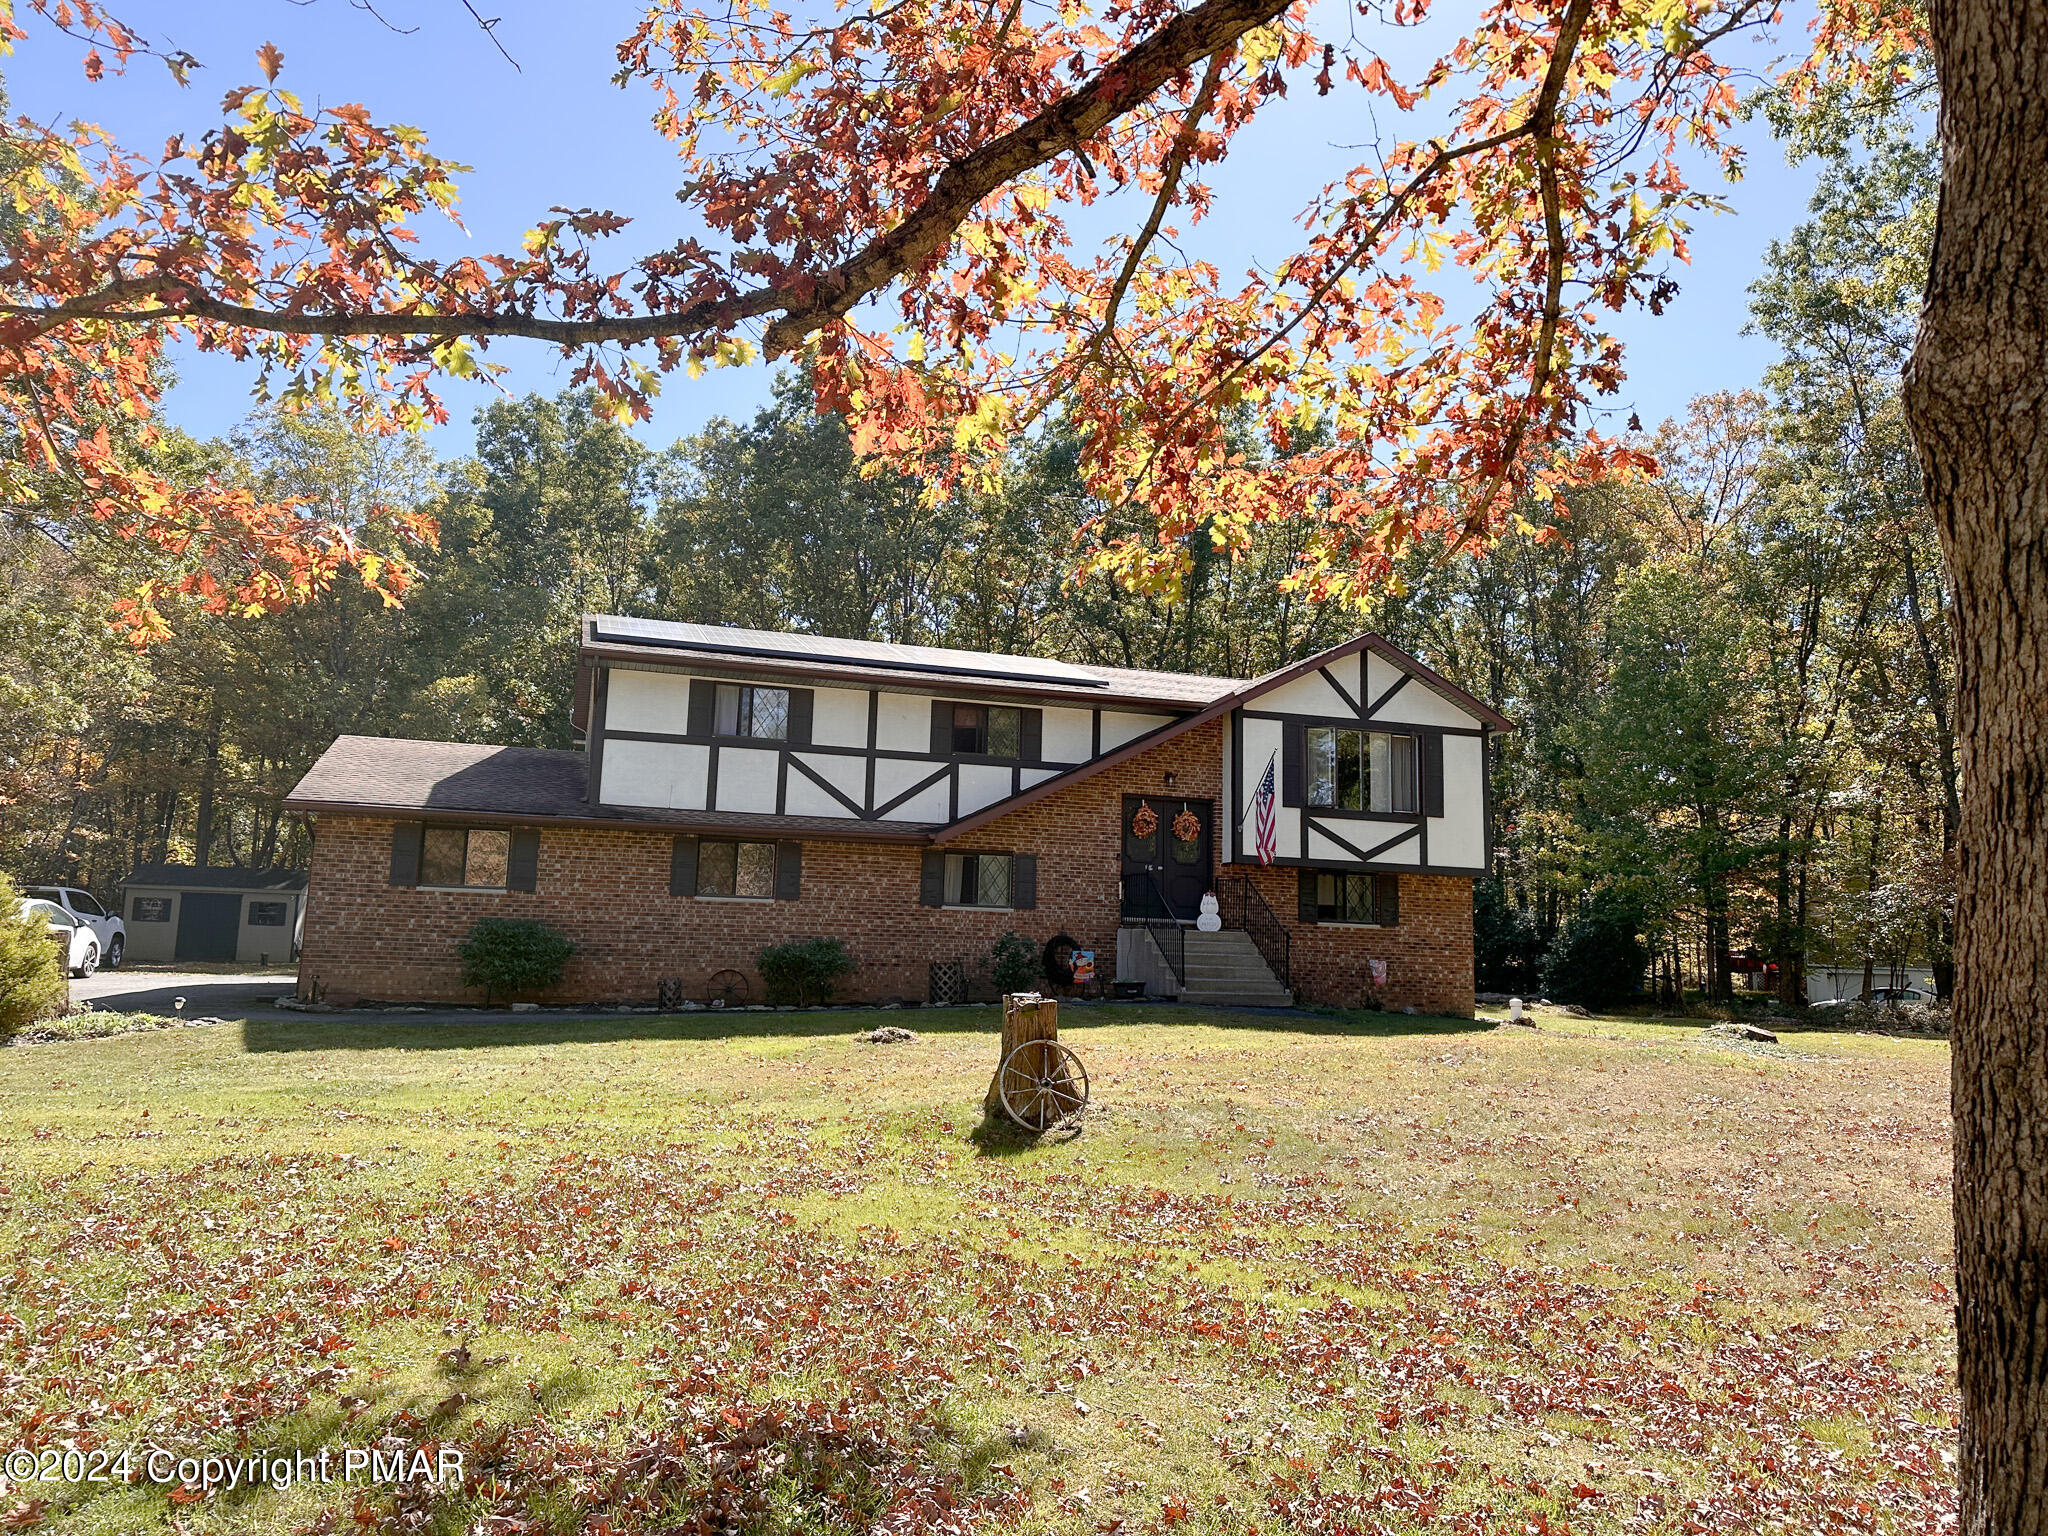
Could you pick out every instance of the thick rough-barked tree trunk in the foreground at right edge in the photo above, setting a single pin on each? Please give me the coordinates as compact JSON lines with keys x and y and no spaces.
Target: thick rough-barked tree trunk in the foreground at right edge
{"x":1977,"y":400}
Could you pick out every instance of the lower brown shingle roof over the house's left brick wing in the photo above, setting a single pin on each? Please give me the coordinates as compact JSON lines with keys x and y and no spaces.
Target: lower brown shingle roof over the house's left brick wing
{"x":468,"y":781}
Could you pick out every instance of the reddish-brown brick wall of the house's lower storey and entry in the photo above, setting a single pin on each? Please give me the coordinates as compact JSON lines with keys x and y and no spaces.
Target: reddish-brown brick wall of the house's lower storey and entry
{"x":607,"y":890}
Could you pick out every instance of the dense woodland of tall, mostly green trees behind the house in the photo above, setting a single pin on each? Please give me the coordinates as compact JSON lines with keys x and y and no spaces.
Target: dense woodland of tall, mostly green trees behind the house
{"x":1734,"y":681}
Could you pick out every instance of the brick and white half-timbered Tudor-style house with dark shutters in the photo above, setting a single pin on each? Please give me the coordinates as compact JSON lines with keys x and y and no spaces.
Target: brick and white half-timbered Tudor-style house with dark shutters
{"x":744,"y":787}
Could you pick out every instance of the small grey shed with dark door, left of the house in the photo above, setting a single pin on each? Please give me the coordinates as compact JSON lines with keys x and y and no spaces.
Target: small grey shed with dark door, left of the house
{"x":239,"y":914}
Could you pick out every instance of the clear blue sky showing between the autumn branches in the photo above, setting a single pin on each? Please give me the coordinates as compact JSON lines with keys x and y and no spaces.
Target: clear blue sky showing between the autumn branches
{"x":556,"y":132}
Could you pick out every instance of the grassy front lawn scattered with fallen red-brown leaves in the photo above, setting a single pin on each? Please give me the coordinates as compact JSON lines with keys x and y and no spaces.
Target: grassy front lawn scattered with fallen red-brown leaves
{"x":1291,"y":1277}
